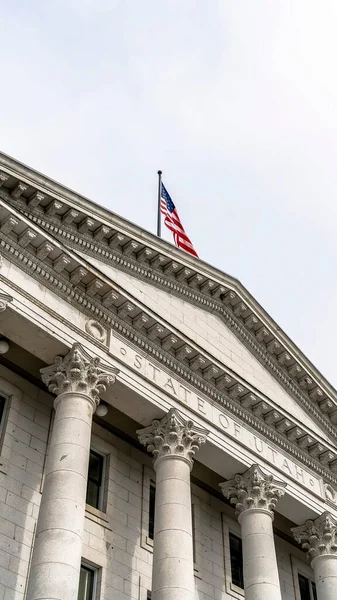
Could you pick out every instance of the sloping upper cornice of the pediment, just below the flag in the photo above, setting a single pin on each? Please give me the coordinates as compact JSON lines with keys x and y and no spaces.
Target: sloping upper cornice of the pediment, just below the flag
{"x":114,"y":241}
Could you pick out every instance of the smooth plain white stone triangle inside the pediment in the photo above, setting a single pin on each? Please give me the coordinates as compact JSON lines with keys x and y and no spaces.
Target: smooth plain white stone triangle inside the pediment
{"x":212,"y":335}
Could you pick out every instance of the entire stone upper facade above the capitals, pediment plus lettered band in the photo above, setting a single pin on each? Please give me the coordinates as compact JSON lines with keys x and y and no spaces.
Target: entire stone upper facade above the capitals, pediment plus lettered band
{"x":181,"y":332}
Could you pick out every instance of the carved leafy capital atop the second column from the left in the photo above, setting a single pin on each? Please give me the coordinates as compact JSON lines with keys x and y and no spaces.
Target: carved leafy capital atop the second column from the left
{"x":173,"y":436}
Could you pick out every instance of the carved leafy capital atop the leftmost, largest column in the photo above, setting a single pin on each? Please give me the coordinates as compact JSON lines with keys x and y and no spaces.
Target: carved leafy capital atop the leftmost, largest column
{"x":78,"y":372}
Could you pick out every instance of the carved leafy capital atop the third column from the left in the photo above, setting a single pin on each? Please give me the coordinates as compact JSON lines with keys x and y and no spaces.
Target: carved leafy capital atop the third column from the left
{"x":253,"y":489}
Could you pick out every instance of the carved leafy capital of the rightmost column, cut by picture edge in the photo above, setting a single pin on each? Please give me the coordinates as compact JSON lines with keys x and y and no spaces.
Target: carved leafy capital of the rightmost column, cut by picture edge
{"x":317,"y":537}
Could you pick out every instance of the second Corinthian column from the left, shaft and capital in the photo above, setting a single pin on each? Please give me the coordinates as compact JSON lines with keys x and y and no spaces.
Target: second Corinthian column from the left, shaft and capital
{"x":173,"y":442}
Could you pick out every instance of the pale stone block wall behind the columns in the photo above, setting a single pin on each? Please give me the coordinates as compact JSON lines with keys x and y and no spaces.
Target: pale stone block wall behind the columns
{"x":115,"y":538}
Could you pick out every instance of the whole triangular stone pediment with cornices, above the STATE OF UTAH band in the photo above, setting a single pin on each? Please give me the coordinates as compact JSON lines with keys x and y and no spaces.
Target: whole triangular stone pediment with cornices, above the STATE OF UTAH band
{"x":213,"y":332}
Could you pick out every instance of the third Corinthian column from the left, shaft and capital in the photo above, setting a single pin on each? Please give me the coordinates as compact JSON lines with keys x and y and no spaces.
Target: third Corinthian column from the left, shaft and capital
{"x":255,"y":495}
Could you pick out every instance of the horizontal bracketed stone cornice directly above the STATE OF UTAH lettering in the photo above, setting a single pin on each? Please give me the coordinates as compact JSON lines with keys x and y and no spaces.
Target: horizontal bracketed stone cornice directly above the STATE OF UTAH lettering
{"x":101,"y":299}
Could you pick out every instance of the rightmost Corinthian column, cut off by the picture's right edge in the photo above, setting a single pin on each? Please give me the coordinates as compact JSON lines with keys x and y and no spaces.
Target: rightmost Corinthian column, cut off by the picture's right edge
{"x":318,"y":537}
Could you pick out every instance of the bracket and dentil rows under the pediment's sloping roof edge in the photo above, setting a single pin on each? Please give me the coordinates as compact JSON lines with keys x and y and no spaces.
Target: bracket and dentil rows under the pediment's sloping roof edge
{"x":167,"y":274}
